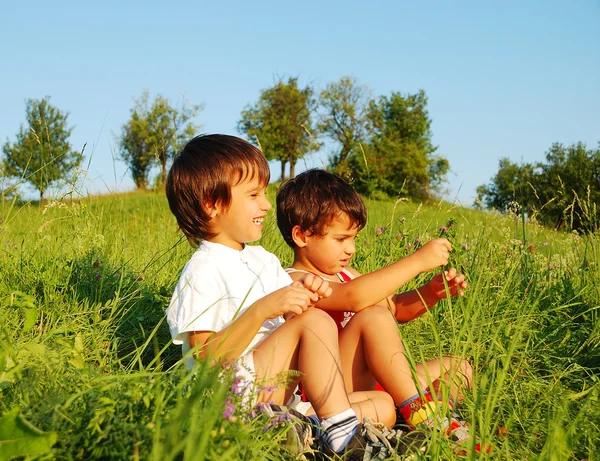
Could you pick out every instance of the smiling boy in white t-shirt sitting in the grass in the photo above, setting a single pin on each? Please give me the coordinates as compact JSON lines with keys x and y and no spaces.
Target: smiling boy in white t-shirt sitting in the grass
{"x":230,"y":299}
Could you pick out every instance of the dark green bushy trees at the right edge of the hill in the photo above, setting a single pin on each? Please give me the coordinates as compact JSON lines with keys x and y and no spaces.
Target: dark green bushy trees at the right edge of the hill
{"x":562,"y":192}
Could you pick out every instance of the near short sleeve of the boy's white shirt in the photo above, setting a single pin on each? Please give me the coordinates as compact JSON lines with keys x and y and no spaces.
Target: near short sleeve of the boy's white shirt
{"x":199,"y":303}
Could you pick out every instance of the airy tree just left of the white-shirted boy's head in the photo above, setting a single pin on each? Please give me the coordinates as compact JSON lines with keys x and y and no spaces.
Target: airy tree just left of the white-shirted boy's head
{"x":153,"y":135}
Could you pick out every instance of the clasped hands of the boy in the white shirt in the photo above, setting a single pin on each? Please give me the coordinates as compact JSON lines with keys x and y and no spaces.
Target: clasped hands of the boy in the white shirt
{"x":293,"y":299}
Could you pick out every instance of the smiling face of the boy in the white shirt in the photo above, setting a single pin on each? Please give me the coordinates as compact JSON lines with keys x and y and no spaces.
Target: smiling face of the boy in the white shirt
{"x":243,"y":221}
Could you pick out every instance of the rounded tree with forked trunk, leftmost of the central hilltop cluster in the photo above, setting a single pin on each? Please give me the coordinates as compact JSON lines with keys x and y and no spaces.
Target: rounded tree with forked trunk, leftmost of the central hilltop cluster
{"x":280,"y":123}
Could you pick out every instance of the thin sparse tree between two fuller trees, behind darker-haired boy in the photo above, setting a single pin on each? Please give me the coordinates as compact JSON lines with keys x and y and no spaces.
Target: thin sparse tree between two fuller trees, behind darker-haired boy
{"x":344,"y":106}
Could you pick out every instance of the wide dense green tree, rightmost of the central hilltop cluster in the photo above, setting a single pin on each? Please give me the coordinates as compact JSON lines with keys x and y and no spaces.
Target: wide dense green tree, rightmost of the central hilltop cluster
{"x":399,"y":157}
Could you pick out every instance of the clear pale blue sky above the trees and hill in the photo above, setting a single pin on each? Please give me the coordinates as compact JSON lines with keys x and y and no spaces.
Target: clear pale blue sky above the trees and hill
{"x":504,"y":79}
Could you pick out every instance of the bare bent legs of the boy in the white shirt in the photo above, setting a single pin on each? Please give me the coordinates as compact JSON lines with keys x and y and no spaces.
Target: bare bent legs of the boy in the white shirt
{"x":308,"y":343}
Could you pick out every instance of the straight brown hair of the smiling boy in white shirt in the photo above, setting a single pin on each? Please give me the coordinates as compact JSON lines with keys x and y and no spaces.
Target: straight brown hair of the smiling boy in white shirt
{"x":202,"y":175}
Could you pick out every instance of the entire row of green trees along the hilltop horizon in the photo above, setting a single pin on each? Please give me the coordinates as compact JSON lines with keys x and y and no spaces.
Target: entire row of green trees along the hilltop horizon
{"x":381,"y":144}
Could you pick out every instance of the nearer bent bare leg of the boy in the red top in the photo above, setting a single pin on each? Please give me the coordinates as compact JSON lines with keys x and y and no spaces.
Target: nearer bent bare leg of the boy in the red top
{"x":371,"y":350}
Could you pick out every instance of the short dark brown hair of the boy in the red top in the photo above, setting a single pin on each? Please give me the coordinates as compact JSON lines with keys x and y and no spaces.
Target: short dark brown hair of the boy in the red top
{"x":313,"y":199}
